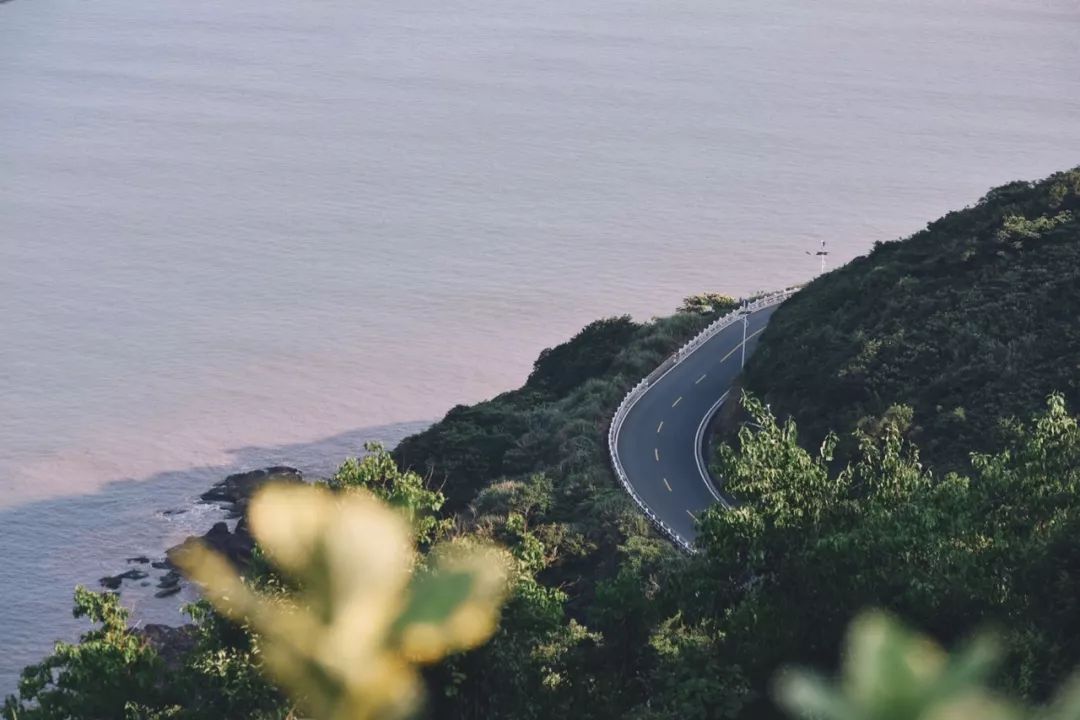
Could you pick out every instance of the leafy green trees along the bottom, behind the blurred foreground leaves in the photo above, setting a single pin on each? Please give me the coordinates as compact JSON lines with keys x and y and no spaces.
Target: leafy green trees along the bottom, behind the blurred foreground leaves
{"x":663,"y":636}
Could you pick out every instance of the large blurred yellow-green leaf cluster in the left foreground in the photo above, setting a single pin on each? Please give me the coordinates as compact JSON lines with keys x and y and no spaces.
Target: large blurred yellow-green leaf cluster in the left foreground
{"x":367,"y":609}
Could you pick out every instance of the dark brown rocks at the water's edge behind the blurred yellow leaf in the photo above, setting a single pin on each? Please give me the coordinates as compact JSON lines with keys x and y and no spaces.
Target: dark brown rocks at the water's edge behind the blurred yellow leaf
{"x":234,"y":495}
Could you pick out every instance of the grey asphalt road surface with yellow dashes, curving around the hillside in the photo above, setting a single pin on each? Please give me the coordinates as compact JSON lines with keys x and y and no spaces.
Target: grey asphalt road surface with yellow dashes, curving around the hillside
{"x":660,"y":441}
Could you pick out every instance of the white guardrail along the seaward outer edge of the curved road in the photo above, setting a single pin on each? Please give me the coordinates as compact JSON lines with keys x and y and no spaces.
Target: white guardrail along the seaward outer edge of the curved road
{"x":638,"y":391}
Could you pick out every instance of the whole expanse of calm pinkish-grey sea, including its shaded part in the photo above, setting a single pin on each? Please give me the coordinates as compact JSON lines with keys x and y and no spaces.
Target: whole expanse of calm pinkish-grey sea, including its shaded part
{"x":236,"y":234}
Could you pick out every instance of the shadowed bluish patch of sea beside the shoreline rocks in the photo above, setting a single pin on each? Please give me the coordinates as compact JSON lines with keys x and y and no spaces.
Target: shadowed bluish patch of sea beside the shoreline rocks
{"x":53,"y":545}
